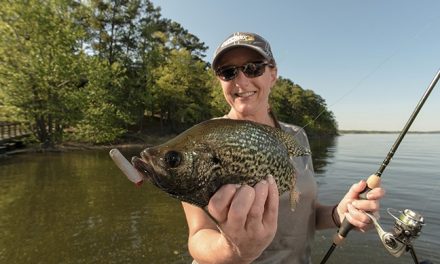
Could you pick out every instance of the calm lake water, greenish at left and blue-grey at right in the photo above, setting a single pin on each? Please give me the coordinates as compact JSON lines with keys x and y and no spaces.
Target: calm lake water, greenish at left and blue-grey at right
{"x":77,"y":207}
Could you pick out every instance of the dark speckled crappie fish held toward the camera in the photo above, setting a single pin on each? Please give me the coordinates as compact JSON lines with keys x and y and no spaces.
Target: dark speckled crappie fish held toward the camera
{"x":194,"y":165}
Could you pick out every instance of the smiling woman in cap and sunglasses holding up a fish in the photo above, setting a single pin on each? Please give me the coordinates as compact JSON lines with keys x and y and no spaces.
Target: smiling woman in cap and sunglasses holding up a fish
{"x":255,"y":224}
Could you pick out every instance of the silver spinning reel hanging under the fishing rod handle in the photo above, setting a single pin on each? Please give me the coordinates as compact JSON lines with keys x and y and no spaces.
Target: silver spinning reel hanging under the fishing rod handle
{"x":407,"y":227}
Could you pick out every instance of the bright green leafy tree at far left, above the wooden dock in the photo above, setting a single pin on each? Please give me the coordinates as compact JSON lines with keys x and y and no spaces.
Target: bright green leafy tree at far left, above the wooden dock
{"x":41,"y":64}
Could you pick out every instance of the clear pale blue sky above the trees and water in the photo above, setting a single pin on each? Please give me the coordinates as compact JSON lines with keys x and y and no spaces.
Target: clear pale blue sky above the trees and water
{"x":371,"y":61}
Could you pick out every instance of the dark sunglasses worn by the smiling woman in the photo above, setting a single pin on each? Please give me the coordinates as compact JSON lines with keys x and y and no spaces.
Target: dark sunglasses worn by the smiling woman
{"x":250,"y":70}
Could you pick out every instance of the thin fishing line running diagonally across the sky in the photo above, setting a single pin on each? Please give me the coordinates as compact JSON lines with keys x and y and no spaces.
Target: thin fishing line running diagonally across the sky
{"x":416,"y":35}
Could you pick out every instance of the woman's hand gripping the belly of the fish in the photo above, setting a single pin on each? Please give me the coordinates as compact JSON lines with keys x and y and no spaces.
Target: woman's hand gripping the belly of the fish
{"x":247,"y":217}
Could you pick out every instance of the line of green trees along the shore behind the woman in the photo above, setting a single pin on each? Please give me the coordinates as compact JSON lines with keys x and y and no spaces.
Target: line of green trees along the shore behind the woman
{"x":93,"y":71}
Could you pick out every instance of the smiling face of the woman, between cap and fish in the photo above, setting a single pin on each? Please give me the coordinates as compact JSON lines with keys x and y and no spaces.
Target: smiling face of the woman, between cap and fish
{"x":247,"y":96}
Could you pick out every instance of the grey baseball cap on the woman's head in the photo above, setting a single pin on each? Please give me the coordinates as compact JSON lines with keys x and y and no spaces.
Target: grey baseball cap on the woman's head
{"x":247,"y":40}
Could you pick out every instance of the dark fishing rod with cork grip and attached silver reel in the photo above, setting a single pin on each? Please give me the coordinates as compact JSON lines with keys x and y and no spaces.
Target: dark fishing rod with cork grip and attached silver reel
{"x":374,"y":181}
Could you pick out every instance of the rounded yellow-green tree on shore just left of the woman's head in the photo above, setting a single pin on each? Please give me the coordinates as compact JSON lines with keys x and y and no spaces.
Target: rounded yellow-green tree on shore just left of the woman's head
{"x":182,"y":91}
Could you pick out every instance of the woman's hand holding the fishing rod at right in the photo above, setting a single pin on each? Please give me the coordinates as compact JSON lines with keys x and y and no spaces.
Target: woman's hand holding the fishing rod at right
{"x":353,"y":208}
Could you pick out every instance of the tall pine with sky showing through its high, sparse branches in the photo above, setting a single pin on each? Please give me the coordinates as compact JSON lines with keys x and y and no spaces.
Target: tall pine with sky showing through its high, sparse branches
{"x":133,"y":34}
